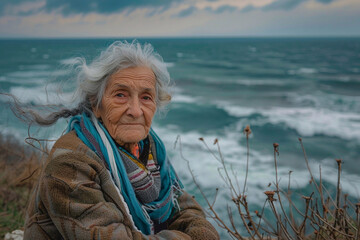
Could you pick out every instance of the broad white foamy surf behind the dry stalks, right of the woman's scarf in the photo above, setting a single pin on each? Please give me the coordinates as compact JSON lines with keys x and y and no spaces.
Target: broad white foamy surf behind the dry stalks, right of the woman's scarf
{"x":261,"y":169}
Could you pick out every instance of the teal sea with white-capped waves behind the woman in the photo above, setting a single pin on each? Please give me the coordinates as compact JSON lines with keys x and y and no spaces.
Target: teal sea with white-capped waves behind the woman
{"x":283,"y":88}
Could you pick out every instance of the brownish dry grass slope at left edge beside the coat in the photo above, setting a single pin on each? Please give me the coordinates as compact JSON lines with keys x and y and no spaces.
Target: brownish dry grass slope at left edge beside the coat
{"x":19,"y":170}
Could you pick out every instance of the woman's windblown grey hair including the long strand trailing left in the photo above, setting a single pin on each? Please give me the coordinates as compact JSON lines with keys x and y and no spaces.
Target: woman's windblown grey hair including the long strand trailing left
{"x":92,"y":80}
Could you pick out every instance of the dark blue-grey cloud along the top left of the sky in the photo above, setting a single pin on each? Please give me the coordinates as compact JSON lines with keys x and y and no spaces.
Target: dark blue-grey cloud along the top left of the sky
{"x":69,"y":7}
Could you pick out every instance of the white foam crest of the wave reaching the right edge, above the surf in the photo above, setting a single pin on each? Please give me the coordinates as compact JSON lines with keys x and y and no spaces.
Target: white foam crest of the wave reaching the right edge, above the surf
{"x":306,"y":121}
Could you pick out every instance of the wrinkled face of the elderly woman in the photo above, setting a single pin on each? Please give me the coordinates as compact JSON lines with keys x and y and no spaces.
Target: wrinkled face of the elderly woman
{"x":128,"y":105}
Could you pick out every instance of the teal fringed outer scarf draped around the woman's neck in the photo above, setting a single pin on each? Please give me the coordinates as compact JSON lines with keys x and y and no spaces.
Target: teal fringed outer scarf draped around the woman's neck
{"x":97,"y":138}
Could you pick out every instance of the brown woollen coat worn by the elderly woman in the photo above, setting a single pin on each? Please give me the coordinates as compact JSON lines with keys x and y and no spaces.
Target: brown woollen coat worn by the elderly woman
{"x":76,"y":199}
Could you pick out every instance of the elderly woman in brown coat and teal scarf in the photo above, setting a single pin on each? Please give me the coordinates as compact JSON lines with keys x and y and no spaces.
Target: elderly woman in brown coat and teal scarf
{"x":109,"y":177}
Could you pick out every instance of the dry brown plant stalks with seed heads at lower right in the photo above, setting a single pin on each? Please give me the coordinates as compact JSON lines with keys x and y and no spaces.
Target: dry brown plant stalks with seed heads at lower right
{"x":322,"y":215}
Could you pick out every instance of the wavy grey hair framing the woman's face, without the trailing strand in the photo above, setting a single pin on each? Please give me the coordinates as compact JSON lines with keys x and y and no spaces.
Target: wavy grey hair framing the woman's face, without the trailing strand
{"x":92,"y":79}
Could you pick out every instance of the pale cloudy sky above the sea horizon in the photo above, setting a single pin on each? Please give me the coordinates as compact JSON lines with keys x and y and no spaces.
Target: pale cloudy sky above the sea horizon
{"x":178,"y":18}
